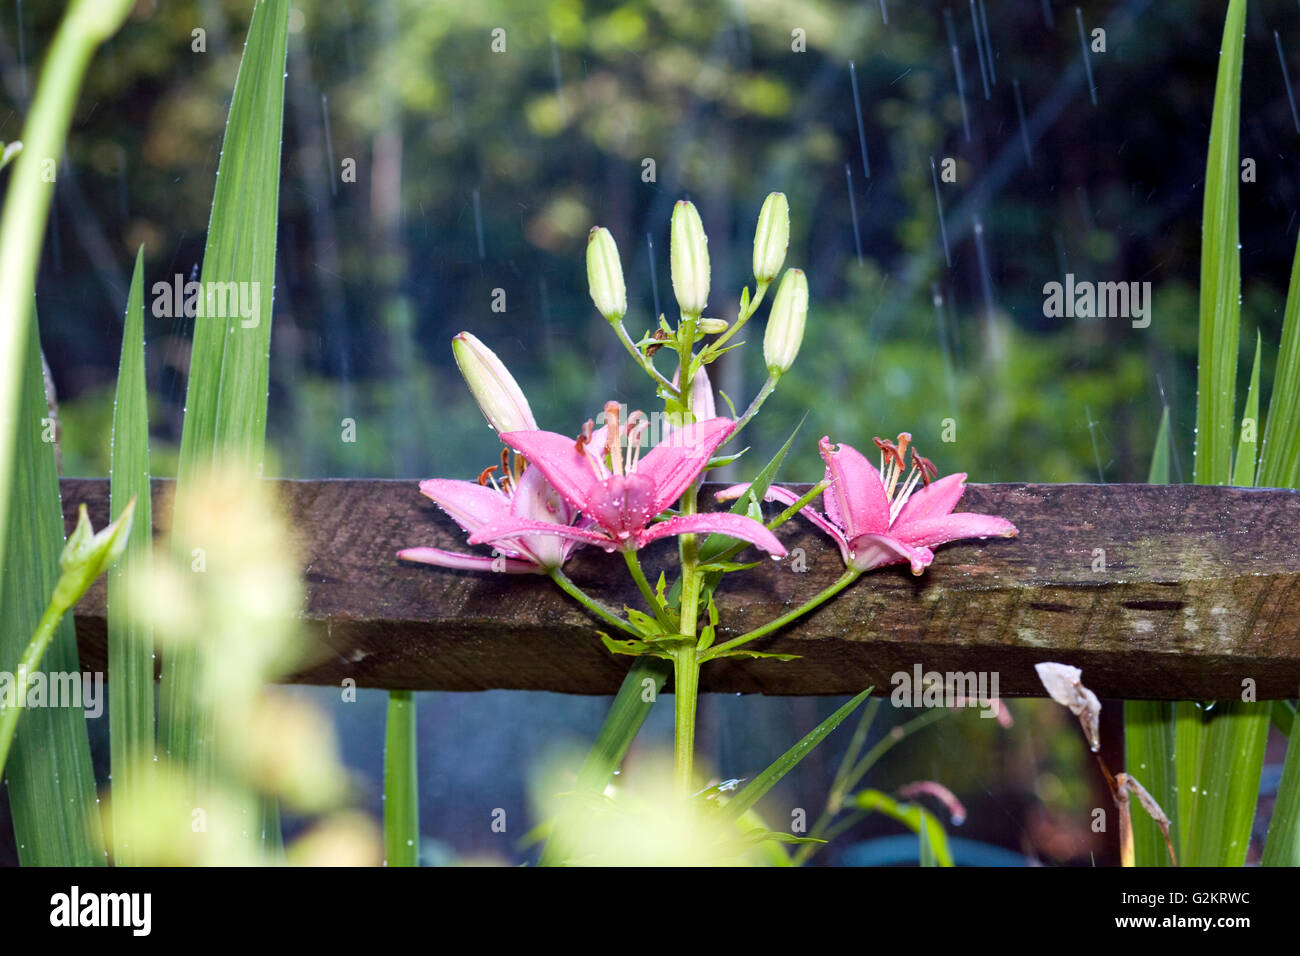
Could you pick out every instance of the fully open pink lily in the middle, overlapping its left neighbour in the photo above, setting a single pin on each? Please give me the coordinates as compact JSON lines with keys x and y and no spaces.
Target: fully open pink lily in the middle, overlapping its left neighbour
{"x":619,"y":490}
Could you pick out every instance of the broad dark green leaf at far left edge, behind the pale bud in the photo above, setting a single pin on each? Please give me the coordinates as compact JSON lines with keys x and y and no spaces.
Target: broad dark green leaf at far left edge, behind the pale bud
{"x":50,"y":778}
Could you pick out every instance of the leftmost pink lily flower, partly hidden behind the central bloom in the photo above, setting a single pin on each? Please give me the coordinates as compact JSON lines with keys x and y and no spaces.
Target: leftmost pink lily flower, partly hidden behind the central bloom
{"x":523,"y":495}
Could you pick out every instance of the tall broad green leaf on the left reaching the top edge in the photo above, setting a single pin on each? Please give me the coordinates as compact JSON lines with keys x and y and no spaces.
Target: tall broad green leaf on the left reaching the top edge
{"x":229,"y":364}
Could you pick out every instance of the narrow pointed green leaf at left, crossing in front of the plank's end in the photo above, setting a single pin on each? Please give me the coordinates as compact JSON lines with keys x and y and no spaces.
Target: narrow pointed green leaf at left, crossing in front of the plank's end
{"x":131,"y":644}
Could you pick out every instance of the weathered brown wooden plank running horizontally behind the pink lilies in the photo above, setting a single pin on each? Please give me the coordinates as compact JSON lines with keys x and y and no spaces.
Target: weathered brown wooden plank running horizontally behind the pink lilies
{"x":1201,"y":591}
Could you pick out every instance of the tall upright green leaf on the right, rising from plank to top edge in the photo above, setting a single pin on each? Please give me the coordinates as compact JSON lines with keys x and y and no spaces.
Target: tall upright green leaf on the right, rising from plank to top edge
{"x":1221,"y":267}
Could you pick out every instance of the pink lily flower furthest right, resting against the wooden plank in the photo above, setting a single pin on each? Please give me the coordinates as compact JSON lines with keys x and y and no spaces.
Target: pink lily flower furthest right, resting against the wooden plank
{"x":879,"y":517}
